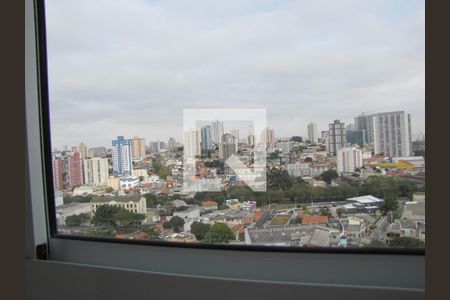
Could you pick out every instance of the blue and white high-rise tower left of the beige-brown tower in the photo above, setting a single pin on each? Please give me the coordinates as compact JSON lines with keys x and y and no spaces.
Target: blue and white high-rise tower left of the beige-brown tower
{"x":122,"y":156}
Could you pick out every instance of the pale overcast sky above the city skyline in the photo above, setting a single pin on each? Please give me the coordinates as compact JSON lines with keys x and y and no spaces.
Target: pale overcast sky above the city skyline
{"x":130,"y":67}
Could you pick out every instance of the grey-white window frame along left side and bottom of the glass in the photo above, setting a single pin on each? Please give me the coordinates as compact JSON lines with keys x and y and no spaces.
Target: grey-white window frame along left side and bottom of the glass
{"x":392,"y":273}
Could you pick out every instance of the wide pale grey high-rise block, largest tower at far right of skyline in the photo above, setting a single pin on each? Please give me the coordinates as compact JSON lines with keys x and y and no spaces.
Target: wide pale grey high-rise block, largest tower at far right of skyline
{"x":392,"y":134}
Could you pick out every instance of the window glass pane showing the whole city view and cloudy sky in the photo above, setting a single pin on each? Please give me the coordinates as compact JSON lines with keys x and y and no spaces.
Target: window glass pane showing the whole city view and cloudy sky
{"x":244,"y":122}
